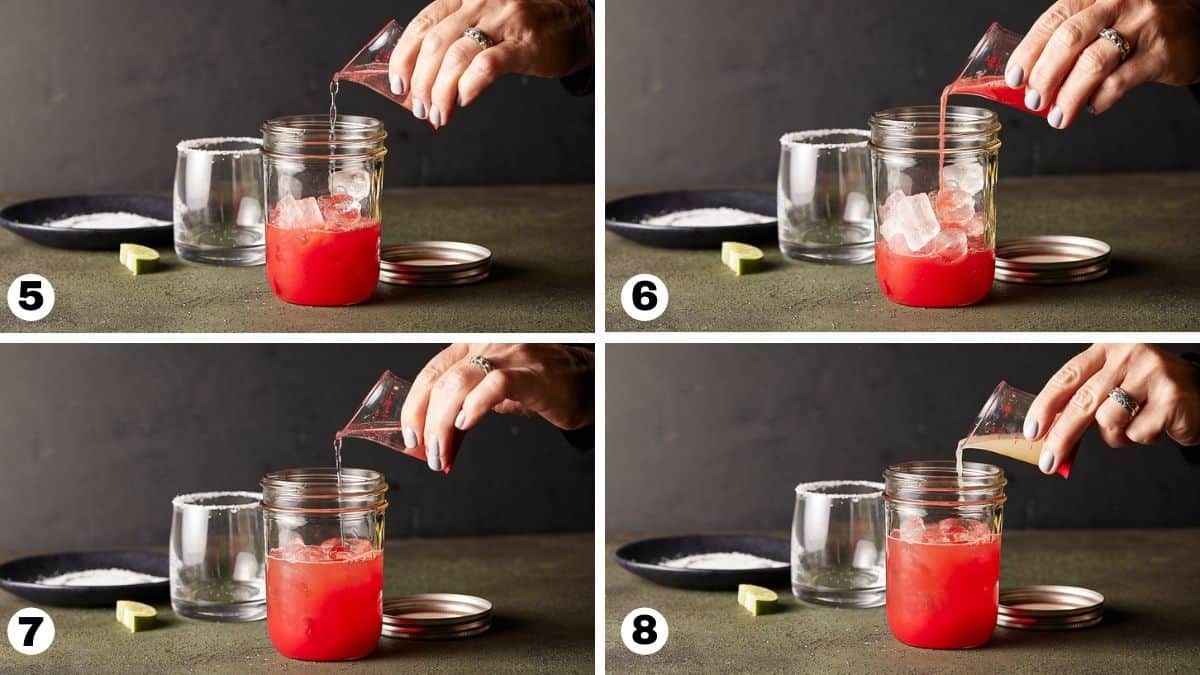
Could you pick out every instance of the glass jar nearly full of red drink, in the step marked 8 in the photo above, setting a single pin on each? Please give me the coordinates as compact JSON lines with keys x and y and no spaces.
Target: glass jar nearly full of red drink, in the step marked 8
{"x":944,"y":553}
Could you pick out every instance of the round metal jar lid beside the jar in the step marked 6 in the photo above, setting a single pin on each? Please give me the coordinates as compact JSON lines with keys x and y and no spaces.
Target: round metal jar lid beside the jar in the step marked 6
{"x":1052,"y":260}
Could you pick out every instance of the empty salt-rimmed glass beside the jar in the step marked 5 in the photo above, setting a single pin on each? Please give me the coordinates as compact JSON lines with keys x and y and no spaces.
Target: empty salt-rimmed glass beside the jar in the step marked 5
{"x":219,"y":202}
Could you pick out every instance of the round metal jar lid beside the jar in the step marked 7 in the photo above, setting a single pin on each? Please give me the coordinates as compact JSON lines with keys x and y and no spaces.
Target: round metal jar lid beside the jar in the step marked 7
{"x":436,"y":617}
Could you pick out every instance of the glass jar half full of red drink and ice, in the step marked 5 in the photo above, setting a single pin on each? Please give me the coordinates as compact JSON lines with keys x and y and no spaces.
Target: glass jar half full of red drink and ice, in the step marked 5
{"x":323,"y":194}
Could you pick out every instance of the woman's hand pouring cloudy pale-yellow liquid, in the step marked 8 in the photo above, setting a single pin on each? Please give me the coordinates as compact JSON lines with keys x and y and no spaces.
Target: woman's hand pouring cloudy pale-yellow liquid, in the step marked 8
{"x":1162,"y":384}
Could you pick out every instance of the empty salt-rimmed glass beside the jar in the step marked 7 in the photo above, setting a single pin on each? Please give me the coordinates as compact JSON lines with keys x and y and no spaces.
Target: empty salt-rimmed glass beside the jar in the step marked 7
{"x":218,"y":557}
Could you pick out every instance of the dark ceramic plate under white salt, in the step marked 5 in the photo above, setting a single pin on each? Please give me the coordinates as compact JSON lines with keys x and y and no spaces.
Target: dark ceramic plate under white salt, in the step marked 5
{"x":27,"y":218}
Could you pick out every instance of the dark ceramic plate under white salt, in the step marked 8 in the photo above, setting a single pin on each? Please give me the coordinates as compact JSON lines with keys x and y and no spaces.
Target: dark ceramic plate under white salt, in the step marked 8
{"x":645,"y":558}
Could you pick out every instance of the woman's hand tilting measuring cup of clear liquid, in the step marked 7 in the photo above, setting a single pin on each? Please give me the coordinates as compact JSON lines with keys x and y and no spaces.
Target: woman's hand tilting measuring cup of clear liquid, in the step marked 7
{"x":452,"y":393}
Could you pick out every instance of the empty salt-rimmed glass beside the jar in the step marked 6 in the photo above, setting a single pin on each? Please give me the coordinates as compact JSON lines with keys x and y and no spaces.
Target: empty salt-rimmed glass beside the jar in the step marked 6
{"x":825,"y":205}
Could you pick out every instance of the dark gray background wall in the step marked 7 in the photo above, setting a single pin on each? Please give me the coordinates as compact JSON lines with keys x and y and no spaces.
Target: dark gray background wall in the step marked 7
{"x":98,"y":439}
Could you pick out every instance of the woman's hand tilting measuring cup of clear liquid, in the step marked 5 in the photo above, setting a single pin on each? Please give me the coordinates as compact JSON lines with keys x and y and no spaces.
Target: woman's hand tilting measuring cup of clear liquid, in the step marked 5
{"x":436,"y":65}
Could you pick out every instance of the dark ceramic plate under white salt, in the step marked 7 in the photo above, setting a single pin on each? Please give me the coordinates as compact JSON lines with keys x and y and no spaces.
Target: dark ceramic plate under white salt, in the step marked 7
{"x":20,"y":577}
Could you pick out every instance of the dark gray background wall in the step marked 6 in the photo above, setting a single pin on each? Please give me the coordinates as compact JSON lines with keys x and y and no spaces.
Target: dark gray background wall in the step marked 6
{"x":699,"y":92}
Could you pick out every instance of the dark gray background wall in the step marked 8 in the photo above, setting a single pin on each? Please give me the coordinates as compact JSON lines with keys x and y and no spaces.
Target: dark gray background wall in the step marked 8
{"x":705,"y":438}
